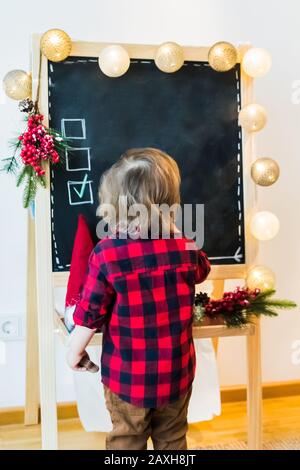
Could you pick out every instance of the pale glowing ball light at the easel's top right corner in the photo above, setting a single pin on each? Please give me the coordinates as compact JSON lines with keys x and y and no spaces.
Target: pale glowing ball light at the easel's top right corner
{"x":256,"y":62}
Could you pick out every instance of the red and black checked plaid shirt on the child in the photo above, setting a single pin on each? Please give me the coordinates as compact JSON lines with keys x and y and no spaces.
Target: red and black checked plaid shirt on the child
{"x":141,"y":294}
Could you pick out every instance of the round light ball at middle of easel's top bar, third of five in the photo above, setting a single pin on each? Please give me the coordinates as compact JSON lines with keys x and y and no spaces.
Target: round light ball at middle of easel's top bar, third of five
{"x":169,"y":57}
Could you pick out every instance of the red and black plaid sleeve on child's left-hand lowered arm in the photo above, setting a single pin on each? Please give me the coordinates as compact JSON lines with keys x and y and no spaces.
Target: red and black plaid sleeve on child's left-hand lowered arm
{"x":97,"y":297}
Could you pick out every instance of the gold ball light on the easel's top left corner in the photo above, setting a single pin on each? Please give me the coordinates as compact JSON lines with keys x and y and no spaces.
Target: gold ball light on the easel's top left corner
{"x":56,"y":45}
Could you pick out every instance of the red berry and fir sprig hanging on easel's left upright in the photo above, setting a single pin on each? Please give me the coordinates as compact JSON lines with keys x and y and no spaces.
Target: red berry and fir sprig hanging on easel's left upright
{"x":35,"y":146}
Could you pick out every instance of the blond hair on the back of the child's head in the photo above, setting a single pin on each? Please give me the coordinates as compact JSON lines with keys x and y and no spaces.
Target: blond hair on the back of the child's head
{"x":142,"y":176}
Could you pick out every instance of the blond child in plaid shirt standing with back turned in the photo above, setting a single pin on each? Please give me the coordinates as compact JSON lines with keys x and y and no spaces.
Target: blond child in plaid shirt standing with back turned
{"x":140,"y":291}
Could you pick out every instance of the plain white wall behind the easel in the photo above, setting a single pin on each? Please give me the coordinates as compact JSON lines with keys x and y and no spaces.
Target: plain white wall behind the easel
{"x":273,"y":25}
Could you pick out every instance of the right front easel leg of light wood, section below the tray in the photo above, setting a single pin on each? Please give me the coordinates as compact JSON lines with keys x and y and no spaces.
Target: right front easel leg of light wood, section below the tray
{"x":254,"y":389}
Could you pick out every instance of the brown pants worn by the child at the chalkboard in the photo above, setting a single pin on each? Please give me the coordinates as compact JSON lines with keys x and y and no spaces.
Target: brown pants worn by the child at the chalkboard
{"x":132,"y":426}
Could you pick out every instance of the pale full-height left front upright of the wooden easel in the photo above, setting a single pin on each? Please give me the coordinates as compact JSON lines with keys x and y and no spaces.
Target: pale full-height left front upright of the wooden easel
{"x":44,"y":285}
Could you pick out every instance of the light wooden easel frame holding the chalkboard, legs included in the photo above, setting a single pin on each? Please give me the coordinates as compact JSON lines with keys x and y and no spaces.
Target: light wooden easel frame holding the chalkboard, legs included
{"x":44,"y":280}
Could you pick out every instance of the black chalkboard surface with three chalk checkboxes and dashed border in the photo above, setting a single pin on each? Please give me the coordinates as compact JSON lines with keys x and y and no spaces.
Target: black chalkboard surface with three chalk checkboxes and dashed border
{"x":191,"y":114}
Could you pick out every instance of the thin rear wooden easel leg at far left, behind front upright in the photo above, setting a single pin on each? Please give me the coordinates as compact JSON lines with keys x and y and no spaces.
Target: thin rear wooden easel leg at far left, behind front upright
{"x":32,"y":375}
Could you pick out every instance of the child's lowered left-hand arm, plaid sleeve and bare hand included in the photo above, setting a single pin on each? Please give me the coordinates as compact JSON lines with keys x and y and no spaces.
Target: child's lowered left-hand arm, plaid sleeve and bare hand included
{"x":91,"y":313}
